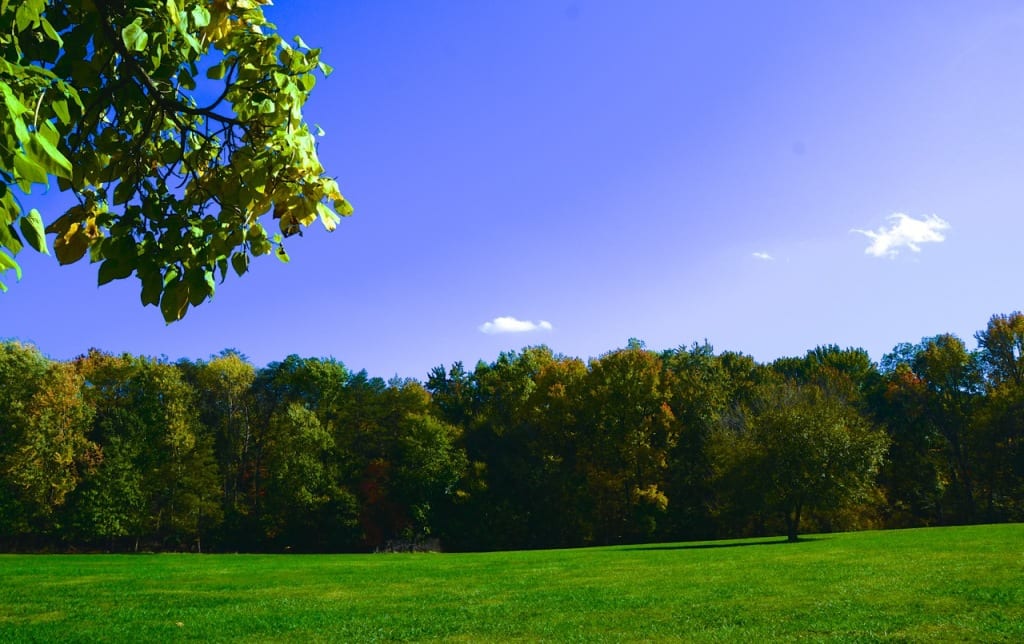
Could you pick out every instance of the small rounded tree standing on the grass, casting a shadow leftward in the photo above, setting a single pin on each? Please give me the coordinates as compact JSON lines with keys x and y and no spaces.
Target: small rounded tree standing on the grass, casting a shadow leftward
{"x":800,"y":450}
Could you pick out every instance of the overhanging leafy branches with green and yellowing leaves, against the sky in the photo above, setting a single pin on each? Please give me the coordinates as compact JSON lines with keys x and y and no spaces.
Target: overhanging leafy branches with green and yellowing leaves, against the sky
{"x":177,"y":124}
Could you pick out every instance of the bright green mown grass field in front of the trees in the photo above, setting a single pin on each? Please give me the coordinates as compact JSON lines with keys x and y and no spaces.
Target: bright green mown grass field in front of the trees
{"x":964,"y":584}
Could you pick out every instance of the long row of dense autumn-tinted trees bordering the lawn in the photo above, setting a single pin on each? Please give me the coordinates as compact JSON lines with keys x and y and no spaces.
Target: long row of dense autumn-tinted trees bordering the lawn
{"x":535,"y":450}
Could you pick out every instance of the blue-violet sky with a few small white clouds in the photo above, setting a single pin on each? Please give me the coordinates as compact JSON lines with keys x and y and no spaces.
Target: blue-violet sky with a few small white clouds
{"x":769,"y":178}
